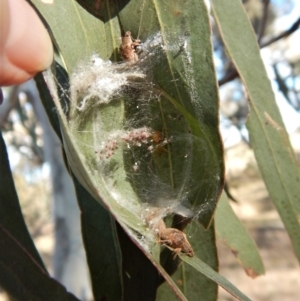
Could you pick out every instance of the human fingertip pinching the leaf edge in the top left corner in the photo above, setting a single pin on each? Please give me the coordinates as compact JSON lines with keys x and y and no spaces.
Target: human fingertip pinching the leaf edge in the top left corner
{"x":25,"y":45}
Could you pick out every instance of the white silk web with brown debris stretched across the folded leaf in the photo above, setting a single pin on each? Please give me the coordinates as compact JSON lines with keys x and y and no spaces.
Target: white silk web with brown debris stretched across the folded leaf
{"x":143,"y":149}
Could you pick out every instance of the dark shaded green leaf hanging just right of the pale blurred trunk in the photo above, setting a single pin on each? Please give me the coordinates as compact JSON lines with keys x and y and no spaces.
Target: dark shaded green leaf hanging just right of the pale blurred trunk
{"x":99,"y":230}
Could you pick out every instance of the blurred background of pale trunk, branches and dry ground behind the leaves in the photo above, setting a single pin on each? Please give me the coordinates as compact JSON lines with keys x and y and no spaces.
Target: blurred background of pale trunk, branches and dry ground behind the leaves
{"x":47,"y":194}
